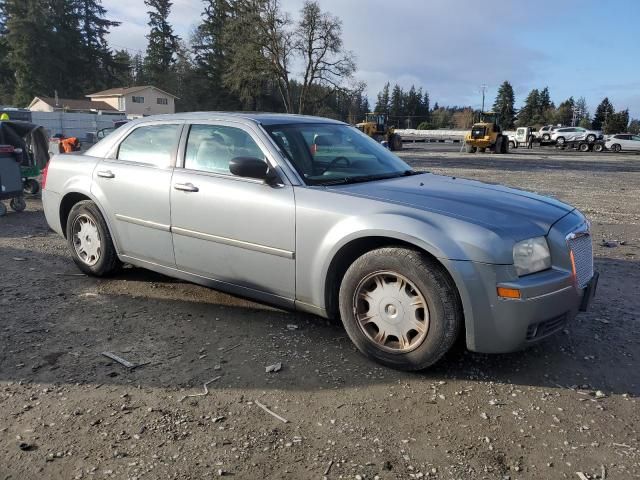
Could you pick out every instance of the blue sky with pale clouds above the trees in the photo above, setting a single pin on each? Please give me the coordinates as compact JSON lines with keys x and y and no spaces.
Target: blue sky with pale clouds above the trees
{"x":451,"y":47}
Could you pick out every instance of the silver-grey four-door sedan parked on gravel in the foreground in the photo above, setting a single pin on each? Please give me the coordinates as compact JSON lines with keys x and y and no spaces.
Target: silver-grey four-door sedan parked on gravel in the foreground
{"x":310,"y":214}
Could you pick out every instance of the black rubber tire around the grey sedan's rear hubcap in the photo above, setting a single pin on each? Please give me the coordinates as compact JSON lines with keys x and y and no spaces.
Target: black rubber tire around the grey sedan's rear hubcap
{"x":108,"y":261}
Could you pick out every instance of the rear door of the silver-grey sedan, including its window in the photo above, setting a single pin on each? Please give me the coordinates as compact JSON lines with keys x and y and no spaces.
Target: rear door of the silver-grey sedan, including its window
{"x":133,"y":188}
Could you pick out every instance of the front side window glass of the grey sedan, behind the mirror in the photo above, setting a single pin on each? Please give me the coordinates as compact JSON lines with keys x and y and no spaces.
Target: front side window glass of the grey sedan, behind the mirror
{"x":210,"y":148}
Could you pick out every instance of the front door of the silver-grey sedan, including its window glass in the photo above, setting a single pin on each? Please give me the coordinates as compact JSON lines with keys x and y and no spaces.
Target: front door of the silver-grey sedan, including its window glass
{"x":236,"y":230}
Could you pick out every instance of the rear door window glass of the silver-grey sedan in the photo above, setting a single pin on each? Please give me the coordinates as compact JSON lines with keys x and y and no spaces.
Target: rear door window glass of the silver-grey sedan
{"x":152,"y":144}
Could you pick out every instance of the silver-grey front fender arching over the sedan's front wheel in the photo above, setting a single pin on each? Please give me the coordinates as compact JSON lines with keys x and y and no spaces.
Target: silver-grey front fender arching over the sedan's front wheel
{"x":322,"y":234}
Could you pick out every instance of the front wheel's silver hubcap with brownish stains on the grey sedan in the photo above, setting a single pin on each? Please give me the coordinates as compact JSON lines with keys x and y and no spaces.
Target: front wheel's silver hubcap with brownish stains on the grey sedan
{"x":391,"y":311}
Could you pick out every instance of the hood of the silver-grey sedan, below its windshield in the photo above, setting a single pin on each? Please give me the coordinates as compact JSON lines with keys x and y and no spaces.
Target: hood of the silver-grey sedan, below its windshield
{"x":508,"y":210}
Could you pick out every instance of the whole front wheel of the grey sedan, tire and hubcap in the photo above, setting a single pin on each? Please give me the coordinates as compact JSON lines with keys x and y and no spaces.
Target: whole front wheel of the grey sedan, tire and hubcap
{"x":400,"y":308}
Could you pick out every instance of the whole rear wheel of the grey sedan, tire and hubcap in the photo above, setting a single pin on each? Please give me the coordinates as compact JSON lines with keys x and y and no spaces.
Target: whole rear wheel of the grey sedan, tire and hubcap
{"x":90,"y":241}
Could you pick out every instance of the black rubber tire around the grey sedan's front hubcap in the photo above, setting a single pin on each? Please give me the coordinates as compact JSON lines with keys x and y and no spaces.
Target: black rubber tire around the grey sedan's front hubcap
{"x":431,"y":281}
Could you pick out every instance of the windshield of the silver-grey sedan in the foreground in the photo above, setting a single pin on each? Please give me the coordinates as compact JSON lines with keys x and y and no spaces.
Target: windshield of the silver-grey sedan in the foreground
{"x":327,"y":154}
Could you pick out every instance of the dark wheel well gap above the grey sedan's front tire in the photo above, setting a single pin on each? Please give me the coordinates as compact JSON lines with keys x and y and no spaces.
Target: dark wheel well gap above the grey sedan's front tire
{"x":349,"y":253}
